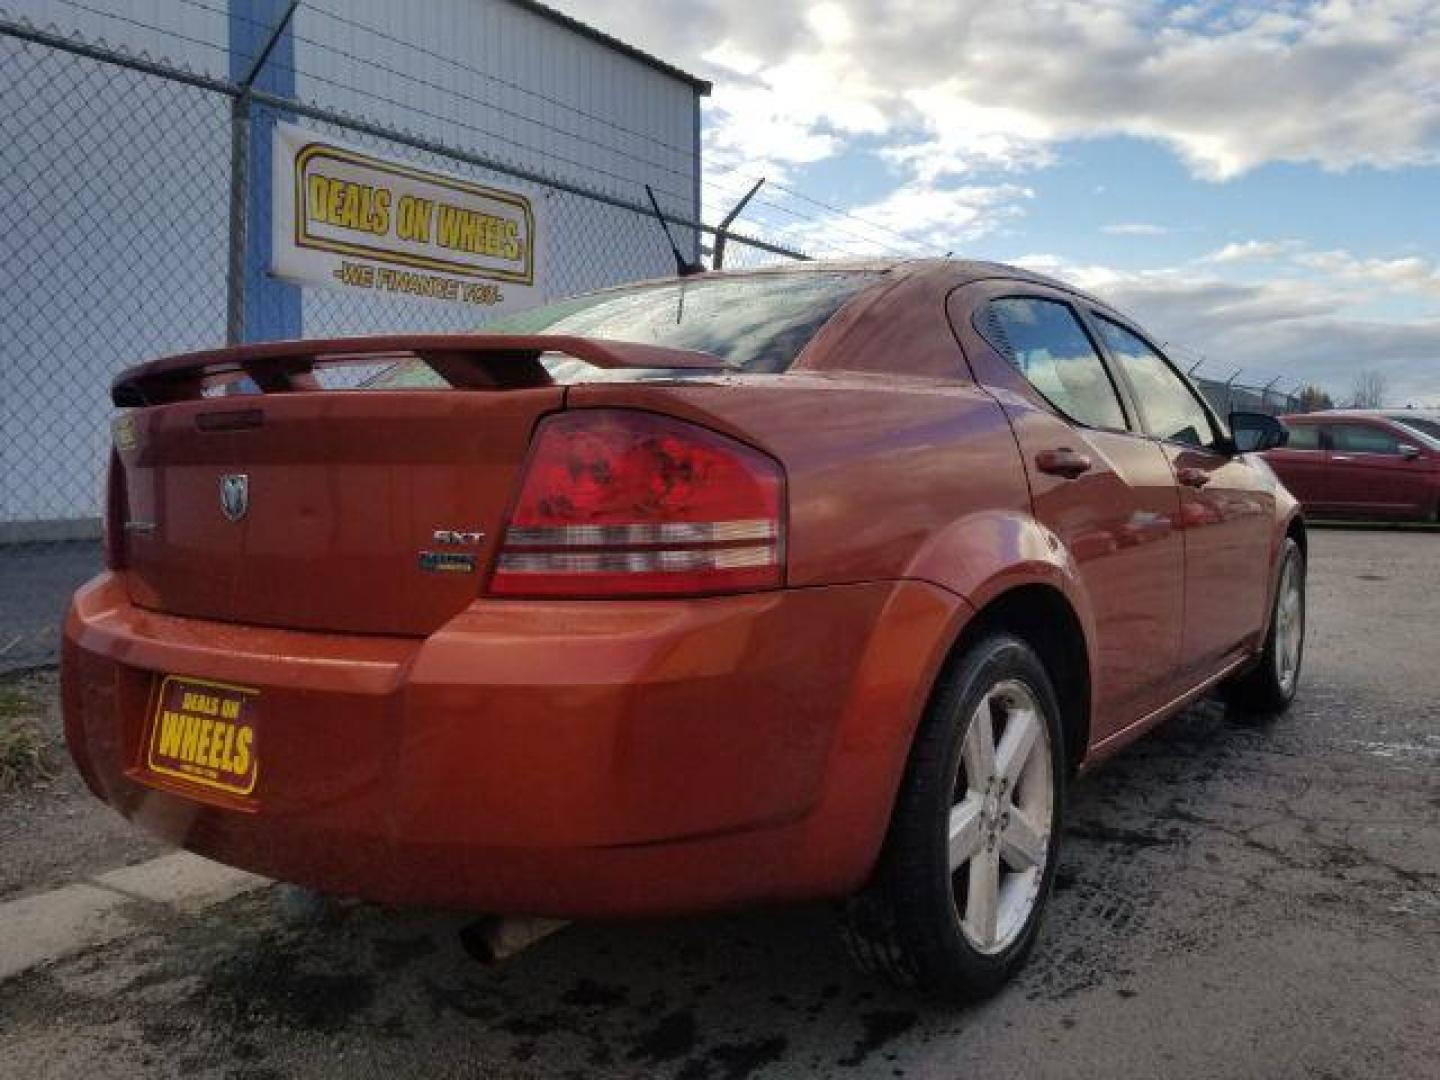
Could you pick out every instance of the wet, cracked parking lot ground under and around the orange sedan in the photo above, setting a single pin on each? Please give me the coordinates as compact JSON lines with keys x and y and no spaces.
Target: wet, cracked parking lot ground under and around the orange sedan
{"x":1235,"y":901}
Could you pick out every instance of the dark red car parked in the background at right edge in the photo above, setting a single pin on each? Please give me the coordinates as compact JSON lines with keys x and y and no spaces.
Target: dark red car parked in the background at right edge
{"x":1363,"y":463}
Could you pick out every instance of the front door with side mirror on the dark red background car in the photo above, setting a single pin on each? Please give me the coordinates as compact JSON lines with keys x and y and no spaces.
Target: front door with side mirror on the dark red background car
{"x":1369,"y":474}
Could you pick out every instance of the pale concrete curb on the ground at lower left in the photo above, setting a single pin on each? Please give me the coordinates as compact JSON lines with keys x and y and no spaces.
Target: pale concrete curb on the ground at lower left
{"x":47,"y":928}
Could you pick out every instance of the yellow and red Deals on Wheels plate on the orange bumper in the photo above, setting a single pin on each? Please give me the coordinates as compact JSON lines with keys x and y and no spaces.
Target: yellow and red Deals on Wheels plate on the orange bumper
{"x":204,"y":734}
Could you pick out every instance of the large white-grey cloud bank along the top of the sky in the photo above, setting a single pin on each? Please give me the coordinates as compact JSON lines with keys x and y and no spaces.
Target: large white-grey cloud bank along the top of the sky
{"x":997,"y":84}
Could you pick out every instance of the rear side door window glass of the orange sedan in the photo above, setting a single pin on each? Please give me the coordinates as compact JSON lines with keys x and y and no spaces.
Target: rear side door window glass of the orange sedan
{"x":1046,"y":343}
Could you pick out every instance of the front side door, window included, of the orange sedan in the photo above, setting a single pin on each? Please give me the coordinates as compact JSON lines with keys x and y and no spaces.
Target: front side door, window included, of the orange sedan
{"x":1228,"y":503}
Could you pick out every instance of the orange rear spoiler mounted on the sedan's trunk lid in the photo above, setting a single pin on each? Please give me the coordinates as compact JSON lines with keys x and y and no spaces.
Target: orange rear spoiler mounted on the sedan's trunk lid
{"x":467,"y":362}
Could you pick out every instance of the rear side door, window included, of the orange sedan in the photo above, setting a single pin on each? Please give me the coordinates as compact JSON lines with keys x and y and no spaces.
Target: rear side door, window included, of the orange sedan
{"x":1105,"y":492}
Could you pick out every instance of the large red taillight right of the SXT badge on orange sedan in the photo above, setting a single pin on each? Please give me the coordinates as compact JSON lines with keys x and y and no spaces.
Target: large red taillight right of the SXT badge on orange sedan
{"x":623,"y":503}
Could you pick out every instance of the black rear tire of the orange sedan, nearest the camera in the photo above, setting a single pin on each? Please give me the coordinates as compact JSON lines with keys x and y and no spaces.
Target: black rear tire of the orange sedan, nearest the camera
{"x":908,"y":924}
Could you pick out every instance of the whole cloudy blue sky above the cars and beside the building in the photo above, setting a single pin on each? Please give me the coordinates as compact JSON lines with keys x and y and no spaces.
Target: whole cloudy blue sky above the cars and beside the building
{"x":1259,"y":185}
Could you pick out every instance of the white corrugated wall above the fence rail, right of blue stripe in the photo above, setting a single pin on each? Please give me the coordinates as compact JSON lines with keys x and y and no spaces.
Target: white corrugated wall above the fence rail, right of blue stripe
{"x":495,"y":77}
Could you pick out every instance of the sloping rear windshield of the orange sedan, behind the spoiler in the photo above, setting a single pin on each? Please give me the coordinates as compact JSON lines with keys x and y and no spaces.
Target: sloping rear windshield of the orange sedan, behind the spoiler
{"x":758,"y":323}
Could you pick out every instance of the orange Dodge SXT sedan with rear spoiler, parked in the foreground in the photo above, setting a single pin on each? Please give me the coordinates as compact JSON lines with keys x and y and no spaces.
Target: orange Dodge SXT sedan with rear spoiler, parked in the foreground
{"x":734,"y":590}
